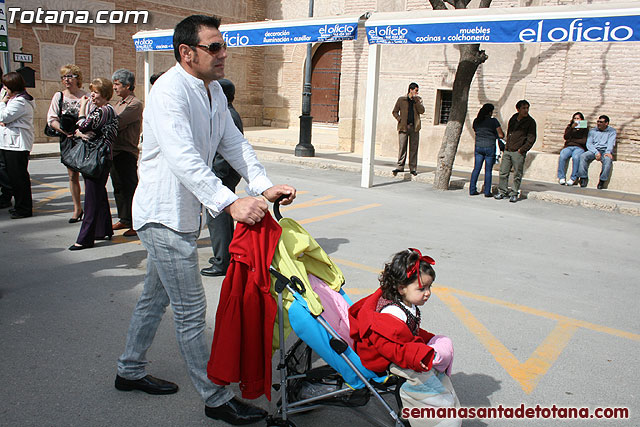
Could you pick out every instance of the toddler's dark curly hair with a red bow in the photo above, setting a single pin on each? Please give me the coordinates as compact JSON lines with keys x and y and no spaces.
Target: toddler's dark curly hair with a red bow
{"x":394,"y":274}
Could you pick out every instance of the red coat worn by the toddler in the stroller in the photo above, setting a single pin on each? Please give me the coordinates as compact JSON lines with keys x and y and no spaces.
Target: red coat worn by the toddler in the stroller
{"x":381,"y":339}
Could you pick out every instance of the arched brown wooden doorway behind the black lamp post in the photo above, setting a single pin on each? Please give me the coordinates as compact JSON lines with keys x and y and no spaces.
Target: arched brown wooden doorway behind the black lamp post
{"x":325,"y":82}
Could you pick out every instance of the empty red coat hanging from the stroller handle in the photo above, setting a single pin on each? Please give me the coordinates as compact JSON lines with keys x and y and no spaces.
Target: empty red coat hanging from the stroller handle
{"x":241,"y":349}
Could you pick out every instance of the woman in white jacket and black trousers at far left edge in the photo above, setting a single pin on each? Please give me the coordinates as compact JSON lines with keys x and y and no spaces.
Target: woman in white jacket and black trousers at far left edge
{"x":16,"y":141}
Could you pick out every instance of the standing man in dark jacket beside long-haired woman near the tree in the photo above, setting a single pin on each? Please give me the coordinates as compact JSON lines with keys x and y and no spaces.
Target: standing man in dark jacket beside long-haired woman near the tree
{"x":521,"y":135}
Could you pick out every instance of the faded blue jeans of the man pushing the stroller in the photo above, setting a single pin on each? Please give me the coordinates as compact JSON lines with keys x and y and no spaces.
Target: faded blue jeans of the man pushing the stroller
{"x":172,"y":277}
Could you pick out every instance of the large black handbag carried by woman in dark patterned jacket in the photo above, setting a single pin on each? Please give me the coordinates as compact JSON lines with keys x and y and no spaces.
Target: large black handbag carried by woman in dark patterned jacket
{"x":90,"y":158}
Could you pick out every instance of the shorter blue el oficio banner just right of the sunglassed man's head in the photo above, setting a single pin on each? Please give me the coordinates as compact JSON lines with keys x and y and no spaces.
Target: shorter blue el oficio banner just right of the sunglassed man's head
{"x":290,"y":34}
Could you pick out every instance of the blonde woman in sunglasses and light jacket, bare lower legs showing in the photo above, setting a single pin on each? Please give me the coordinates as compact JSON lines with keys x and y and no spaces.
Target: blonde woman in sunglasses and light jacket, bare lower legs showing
{"x":64,"y":121}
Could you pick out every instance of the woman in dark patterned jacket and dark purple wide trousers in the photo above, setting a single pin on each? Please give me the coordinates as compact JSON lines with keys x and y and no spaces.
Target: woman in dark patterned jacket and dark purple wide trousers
{"x":102,"y":122}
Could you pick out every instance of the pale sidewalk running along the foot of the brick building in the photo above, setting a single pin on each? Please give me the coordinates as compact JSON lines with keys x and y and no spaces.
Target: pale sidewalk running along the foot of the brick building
{"x":277,"y":145}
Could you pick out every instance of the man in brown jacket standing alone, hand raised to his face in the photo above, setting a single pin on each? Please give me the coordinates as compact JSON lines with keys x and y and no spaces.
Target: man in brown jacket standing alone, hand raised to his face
{"x":407,"y":112}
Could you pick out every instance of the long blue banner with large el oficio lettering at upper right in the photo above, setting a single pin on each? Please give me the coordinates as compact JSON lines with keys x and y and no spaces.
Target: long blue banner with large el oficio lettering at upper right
{"x":598,"y":29}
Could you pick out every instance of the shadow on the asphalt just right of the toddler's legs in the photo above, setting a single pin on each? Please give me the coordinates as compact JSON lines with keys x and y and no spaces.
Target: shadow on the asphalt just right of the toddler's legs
{"x":473,"y":390}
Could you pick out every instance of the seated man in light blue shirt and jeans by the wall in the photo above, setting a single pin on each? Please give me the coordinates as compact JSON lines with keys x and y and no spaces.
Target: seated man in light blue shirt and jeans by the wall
{"x":600,"y":143}
